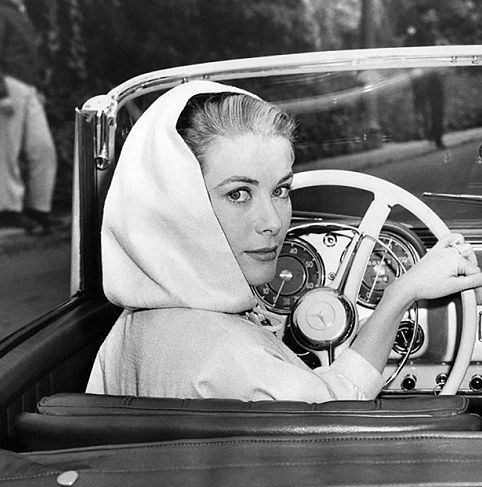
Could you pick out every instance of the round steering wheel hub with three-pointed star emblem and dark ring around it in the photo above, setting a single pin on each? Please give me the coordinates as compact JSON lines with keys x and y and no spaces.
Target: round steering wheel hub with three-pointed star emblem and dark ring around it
{"x":322,"y":319}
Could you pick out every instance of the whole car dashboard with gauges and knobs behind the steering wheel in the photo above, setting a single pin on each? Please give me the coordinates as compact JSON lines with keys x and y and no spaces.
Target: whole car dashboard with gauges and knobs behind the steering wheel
{"x":428,"y":333}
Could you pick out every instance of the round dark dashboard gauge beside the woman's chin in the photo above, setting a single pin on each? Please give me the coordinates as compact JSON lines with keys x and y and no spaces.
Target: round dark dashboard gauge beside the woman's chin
{"x":298,"y":270}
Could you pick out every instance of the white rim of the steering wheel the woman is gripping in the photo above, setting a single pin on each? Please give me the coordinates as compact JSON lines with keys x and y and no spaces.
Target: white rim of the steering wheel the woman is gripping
{"x":387,"y":195}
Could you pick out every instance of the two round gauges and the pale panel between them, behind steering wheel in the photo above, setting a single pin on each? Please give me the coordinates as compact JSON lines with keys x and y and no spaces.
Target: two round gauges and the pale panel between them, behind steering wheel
{"x":310,"y":258}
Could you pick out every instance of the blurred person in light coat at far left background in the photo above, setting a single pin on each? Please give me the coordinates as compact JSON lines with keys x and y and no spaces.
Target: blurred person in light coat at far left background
{"x":25,"y":191}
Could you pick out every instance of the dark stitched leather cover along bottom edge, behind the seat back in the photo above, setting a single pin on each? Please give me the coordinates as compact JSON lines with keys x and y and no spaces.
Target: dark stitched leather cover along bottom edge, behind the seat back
{"x":442,"y":459}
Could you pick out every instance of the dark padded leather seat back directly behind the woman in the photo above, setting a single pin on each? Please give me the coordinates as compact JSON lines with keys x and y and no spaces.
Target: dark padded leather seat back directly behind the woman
{"x":75,"y":420}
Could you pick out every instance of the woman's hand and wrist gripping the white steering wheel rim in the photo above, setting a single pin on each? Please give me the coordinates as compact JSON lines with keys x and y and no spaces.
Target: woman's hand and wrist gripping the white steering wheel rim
{"x":449,"y":267}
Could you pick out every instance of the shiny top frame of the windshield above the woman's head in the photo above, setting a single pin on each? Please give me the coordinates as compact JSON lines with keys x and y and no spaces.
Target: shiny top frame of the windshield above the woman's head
{"x":321,"y":61}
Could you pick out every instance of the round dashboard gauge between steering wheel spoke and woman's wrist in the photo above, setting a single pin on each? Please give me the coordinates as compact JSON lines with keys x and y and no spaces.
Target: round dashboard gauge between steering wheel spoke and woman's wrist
{"x":384,"y":267}
